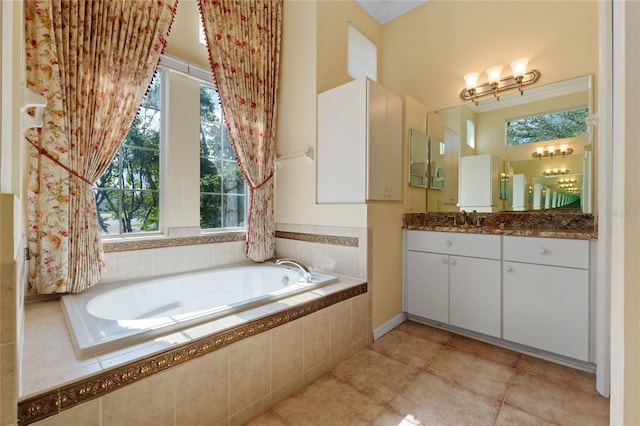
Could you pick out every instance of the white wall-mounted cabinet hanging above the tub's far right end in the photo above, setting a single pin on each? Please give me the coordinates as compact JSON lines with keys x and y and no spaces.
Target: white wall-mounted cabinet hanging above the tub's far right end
{"x":359,"y":151}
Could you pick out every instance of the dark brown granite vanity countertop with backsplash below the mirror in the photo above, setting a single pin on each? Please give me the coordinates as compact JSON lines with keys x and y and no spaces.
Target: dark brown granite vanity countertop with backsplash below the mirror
{"x":538,"y":224}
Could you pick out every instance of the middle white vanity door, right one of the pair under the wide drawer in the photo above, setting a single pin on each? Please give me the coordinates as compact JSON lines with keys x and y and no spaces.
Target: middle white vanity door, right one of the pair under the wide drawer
{"x":474,"y":291}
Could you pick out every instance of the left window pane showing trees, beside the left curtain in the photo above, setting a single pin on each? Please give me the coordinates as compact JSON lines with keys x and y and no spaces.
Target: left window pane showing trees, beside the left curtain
{"x":128,"y":193}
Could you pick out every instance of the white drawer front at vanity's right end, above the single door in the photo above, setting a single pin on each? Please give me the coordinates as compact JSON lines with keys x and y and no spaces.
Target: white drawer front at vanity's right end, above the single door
{"x":547,"y":251}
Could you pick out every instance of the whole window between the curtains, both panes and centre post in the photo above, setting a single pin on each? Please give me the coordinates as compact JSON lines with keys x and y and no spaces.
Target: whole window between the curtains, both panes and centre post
{"x":129,"y":194}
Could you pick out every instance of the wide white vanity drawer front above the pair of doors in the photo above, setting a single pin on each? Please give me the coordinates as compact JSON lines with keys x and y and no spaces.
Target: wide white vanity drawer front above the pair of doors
{"x":471,"y":245}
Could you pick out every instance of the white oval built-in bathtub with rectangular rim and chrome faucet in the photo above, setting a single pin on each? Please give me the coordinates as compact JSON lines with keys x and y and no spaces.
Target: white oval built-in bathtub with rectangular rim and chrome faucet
{"x":112,"y":316}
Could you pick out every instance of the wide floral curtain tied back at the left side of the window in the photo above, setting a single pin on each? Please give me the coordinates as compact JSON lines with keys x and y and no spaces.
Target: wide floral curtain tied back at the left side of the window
{"x":92,"y":60}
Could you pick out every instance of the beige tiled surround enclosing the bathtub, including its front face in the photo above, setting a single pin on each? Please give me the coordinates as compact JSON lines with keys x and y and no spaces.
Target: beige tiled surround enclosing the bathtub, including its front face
{"x":300,"y":343}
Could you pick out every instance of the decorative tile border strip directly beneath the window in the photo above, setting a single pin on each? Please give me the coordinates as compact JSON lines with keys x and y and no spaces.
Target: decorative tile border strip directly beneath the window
{"x":113,"y":246}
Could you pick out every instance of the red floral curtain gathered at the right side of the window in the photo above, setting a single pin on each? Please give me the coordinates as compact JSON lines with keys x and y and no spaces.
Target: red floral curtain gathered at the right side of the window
{"x":243,"y":38}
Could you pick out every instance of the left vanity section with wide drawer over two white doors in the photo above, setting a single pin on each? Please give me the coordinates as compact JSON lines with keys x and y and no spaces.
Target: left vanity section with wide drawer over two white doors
{"x":454,"y":279}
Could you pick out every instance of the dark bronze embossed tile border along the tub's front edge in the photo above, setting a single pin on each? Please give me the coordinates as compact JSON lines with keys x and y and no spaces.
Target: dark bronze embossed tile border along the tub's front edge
{"x":55,"y":401}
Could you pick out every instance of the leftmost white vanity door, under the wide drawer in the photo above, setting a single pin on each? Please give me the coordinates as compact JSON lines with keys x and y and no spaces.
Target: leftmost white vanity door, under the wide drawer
{"x":428,"y":285}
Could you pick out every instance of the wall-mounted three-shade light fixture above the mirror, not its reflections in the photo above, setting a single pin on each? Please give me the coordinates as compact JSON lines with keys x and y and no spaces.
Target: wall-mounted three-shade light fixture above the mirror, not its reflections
{"x":520,"y":77}
